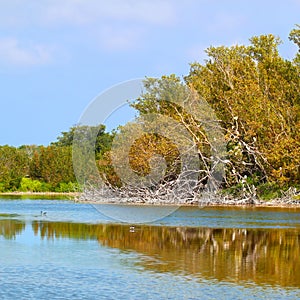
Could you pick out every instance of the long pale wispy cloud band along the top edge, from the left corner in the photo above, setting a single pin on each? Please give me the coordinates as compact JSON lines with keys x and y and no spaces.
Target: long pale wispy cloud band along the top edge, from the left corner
{"x":83,"y":12}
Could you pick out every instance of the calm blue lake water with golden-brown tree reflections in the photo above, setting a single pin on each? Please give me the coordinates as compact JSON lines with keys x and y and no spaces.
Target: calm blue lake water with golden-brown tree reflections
{"x":75,"y":252}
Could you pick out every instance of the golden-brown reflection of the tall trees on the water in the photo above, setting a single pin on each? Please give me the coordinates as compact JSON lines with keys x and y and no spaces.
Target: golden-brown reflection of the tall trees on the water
{"x":263,"y":256}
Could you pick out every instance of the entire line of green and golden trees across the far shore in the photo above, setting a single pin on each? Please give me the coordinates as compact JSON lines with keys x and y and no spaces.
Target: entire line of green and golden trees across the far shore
{"x":255,"y":95}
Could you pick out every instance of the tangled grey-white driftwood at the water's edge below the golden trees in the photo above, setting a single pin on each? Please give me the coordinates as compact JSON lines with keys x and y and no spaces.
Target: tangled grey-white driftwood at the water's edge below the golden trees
{"x":166,"y":196}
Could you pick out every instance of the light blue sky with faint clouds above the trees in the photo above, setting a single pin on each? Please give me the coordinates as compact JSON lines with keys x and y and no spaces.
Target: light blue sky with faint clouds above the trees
{"x":56,"y":56}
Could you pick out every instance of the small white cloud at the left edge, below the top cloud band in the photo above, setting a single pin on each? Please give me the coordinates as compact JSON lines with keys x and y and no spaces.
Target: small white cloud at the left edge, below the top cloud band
{"x":12,"y":52}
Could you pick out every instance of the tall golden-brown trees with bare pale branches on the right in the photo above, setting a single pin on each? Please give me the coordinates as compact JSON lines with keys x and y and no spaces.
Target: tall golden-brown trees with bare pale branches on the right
{"x":255,"y":95}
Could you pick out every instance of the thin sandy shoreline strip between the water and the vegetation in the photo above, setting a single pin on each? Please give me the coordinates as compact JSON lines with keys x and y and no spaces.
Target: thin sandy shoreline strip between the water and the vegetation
{"x":279,"y":203}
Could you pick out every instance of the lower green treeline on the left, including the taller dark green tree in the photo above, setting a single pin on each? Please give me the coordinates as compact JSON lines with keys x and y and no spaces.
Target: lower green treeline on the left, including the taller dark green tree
{"x":45,"y":168}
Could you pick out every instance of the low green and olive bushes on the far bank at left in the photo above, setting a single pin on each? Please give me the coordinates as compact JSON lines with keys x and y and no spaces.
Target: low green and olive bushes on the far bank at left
{"x":36,"y":169}
